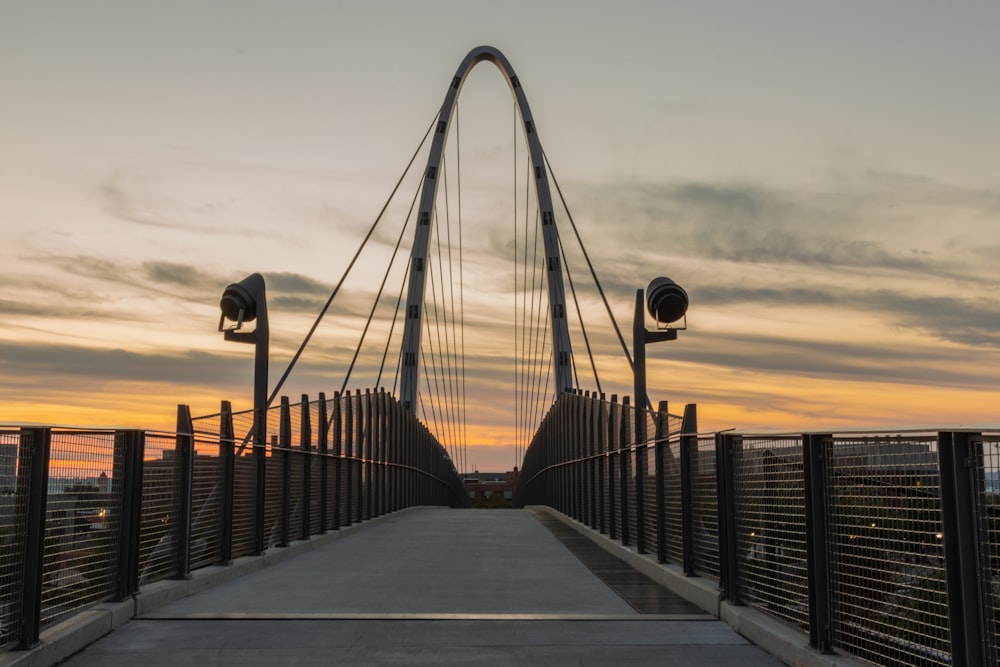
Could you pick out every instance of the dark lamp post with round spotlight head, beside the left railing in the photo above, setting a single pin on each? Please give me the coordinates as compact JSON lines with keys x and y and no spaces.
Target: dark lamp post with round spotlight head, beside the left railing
{"x":242,"y":302}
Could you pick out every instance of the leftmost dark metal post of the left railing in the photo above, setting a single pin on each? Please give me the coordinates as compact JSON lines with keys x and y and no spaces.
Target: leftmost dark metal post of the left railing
{"x":32,"y":493}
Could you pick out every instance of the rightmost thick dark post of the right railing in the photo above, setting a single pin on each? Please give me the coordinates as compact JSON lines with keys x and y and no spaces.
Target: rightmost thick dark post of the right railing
{"x":960,"y":458}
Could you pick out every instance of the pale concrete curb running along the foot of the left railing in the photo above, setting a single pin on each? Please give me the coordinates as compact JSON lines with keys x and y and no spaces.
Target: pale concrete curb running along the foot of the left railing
{"x":68,"y":637}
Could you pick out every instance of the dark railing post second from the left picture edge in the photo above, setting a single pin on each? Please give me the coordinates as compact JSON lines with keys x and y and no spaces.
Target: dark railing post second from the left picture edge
{"x":129,"y":446}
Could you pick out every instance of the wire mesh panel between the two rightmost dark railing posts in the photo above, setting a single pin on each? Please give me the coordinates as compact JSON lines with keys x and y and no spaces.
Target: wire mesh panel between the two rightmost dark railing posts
{"x":886,"y":538}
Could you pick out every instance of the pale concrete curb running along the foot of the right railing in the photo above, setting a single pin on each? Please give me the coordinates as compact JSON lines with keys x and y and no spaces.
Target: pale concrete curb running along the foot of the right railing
{"x":783,"y":642}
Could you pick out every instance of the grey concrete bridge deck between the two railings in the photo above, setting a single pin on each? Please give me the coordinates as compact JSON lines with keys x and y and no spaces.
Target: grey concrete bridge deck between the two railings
{"x":429,"y":586}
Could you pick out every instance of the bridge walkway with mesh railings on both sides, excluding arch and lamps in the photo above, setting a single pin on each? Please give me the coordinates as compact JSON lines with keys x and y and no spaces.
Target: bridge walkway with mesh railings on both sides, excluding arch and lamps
{"x":817,"y":548}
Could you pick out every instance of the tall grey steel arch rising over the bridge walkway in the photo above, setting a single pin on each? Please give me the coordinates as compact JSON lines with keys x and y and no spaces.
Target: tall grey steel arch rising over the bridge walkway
{"x":562,"y":351}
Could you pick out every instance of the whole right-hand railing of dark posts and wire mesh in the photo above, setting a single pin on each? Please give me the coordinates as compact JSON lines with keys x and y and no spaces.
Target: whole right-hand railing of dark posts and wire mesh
{"x":882,"y":546}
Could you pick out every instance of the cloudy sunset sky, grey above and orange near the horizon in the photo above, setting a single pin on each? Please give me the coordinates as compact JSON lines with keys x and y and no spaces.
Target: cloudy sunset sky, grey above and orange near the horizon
{"x":822,"y":178}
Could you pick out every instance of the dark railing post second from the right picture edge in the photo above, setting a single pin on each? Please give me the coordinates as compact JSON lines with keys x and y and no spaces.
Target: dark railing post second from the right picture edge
{"x":815,"y":454}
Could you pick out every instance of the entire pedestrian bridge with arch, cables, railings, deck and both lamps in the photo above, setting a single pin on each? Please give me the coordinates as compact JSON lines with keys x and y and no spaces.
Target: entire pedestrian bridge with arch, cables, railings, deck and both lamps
{"x":230,"y":541}
